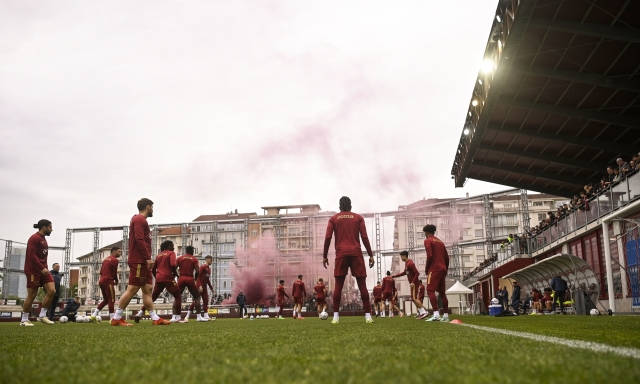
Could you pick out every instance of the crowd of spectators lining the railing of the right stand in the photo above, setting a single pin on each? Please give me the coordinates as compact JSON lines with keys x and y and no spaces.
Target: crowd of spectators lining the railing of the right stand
{"x":579,"y":203}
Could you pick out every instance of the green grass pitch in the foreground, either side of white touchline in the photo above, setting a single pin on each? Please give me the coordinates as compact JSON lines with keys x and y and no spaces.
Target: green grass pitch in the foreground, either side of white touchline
{"x":399,"y":350}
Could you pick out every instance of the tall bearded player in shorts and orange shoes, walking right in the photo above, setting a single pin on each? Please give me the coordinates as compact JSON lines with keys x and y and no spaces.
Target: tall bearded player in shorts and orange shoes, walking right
{"x":140,"y":264}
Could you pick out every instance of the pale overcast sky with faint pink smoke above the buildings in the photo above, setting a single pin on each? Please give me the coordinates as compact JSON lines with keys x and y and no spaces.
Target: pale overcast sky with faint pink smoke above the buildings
{"x":210,"y":106}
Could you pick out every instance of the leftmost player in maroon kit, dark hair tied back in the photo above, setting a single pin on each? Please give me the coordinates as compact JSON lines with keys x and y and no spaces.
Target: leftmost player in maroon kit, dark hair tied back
{"x":37,"y":271}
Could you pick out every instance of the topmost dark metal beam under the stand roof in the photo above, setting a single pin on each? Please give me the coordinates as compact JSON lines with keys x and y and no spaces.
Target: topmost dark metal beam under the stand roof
{"x":614,"y":33}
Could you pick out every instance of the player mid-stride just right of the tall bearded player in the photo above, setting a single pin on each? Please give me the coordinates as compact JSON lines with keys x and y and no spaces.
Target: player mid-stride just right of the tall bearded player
{"x":165,"y":271}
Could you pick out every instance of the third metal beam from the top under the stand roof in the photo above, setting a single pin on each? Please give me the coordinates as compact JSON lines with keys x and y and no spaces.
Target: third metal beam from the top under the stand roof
{"x":607,"y":118}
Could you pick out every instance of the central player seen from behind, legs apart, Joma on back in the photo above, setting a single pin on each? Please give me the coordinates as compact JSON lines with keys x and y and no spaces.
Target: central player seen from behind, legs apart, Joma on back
{"x":349,"y":228}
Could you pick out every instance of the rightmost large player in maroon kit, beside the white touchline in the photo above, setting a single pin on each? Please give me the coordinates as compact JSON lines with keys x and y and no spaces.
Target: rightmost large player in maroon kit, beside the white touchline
{"x":436,"y":270}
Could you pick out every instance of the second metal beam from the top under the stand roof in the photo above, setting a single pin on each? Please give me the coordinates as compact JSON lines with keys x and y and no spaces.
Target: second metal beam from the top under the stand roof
{"x":583,"y":77}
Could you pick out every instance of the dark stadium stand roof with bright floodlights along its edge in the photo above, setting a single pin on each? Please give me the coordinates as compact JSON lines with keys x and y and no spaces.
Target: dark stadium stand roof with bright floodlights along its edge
{"x":558,"y":96}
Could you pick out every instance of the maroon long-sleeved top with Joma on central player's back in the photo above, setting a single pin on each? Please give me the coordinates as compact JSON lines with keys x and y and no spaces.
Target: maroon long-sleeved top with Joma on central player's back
{"x":349,"y":228}
